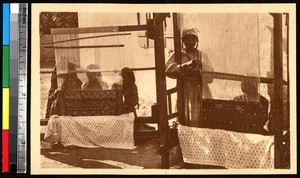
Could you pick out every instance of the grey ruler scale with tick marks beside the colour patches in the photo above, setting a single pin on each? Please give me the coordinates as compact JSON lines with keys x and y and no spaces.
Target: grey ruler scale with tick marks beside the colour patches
{"x":22,"y":89}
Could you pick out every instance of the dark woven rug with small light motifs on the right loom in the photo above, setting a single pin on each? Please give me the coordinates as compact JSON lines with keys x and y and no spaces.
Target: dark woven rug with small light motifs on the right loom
{"x":238,"y":116}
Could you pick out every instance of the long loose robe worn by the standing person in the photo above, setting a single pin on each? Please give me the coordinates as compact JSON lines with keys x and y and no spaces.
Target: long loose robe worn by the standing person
{"x":192,"y":91}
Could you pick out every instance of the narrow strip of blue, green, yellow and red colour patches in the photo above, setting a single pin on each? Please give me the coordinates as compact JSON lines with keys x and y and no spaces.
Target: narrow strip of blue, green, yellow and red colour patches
{"x":5,"y":89}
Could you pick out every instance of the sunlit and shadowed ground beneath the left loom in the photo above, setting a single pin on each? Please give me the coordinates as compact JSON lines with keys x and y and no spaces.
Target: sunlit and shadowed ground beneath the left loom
{"x":144,"y":156}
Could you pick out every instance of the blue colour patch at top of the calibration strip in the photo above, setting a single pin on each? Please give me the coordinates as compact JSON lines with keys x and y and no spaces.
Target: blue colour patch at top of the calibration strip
{"x":6,"y":23}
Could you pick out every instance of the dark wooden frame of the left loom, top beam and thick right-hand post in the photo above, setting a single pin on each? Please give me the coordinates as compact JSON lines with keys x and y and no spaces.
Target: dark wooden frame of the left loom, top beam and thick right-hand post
{"x":154,"y":118}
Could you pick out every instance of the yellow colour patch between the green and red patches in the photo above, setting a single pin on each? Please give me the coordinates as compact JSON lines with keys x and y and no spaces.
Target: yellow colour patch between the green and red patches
{"x":5,"y":109}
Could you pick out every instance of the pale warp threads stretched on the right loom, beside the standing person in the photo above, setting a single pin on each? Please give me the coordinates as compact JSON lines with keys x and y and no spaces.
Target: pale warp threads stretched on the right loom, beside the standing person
{"x":231,"y":42}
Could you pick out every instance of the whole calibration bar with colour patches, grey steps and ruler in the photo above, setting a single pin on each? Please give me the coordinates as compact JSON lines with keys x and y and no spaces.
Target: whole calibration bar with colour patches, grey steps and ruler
{"x":14,"y":80}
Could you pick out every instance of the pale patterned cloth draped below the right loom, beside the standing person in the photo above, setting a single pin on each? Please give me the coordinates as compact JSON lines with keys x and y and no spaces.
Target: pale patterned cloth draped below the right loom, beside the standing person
{"x":226,"y":148}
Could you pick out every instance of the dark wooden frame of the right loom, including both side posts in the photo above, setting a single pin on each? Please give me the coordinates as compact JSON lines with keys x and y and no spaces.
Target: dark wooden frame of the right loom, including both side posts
{"x":277,"y":81}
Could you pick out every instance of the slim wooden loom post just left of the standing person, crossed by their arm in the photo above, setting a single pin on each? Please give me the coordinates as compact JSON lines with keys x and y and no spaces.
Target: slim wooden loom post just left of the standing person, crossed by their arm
{"x":177,"y":47}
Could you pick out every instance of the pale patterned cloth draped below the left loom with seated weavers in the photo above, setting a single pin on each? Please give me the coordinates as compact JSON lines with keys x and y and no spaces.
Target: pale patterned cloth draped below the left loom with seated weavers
{"x":92,"y":131}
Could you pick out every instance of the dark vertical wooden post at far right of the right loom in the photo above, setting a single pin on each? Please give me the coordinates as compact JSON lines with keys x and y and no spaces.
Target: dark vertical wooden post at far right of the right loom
{"x":278,"y":89}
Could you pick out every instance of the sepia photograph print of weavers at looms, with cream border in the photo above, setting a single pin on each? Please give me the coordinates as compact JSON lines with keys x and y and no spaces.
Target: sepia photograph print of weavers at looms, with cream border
{"x":163,"y":89}
